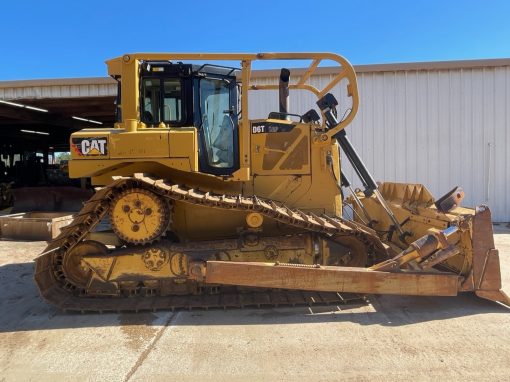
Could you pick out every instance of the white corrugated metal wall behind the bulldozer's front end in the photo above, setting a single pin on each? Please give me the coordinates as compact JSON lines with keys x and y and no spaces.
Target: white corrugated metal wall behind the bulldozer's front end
{"x":441,"y":128}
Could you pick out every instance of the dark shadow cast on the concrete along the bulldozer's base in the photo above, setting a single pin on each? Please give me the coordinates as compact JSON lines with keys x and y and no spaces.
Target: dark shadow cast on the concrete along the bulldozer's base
{"x":23,"y":310}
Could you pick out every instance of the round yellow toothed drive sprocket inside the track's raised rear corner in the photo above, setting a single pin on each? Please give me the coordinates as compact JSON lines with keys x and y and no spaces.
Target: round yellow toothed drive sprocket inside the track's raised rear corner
{"x":139,"y":216}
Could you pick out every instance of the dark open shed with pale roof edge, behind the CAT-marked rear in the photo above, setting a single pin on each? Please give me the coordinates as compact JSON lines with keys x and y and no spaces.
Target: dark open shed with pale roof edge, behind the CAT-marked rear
{"x":37,"y":117}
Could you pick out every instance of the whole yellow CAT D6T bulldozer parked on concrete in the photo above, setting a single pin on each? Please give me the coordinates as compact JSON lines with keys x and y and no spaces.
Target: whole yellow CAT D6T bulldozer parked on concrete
{"x":202,"y":207}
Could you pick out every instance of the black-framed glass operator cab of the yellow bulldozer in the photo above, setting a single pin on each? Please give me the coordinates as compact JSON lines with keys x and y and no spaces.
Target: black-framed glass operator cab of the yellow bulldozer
{"x":205,"y":97}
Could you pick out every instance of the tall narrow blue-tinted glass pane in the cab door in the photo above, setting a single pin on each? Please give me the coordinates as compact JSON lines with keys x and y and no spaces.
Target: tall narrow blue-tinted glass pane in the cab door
{"x":217,"y":124}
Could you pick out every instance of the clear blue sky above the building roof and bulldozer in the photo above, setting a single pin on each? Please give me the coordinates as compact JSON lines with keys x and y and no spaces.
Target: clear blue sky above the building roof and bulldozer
{"x":51,"y":39}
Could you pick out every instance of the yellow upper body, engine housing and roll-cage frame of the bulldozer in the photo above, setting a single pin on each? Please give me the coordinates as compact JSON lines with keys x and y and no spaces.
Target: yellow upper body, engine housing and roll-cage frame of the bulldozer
{"x":299,"y":168}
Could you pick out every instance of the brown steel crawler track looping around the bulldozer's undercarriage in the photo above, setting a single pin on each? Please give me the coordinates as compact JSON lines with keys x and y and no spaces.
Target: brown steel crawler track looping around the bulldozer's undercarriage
{"x":57,"y":289}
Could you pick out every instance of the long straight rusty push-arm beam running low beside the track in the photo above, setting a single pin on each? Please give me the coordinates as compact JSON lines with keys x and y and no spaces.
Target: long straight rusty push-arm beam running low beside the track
{"x":331,"y":279}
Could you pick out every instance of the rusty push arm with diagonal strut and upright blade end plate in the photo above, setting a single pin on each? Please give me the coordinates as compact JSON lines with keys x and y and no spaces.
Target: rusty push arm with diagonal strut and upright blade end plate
{"x":484,"y":277}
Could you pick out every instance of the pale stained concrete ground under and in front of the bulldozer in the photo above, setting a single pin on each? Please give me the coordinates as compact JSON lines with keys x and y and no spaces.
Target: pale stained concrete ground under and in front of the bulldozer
{"x":392,"y":338}
